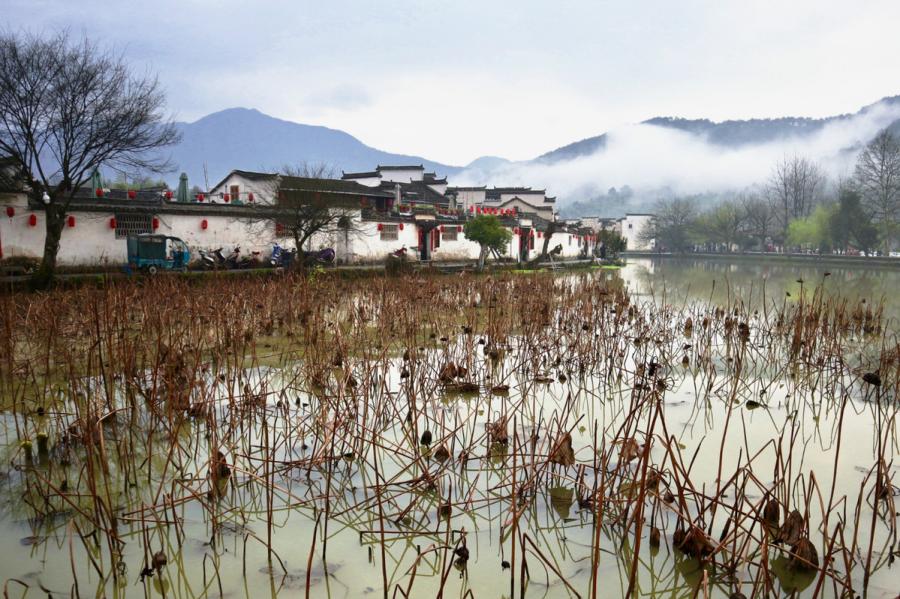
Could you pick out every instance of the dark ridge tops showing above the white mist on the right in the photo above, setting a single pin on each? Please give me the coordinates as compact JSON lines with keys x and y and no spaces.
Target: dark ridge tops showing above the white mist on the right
{"x":729,"y":134}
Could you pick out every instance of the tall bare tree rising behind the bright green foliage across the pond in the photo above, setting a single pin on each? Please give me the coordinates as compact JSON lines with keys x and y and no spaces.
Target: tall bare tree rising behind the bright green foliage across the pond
{"x":794,"y":189}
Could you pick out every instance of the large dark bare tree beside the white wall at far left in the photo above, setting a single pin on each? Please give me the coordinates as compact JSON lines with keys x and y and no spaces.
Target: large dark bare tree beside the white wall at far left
{"x":66,"y":108}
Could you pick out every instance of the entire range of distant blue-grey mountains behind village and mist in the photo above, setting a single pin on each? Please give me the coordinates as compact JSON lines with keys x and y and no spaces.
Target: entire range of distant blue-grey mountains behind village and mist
{"x":248,"y":139}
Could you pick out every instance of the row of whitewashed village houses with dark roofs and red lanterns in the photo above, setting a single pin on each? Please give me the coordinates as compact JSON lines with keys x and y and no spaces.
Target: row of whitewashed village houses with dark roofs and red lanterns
{"x":389,"y":208}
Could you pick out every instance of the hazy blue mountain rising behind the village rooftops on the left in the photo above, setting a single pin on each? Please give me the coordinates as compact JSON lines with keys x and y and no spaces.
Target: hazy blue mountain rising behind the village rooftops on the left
{"x":242,"y":138}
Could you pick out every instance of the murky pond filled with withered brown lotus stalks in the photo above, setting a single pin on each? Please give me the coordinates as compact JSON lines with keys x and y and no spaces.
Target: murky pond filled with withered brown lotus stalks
{"x":521,"y":435}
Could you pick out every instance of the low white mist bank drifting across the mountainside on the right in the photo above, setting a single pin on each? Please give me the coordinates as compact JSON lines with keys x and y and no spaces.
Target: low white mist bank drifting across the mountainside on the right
{"x":650,"y":158}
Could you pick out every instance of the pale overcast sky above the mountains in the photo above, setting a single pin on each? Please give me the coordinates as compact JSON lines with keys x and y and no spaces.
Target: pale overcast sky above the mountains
{"x":454,"y":80}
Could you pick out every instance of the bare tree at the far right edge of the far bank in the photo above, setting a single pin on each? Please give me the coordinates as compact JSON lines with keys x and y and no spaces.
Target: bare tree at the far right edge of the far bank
{"x":878,"y":176}
